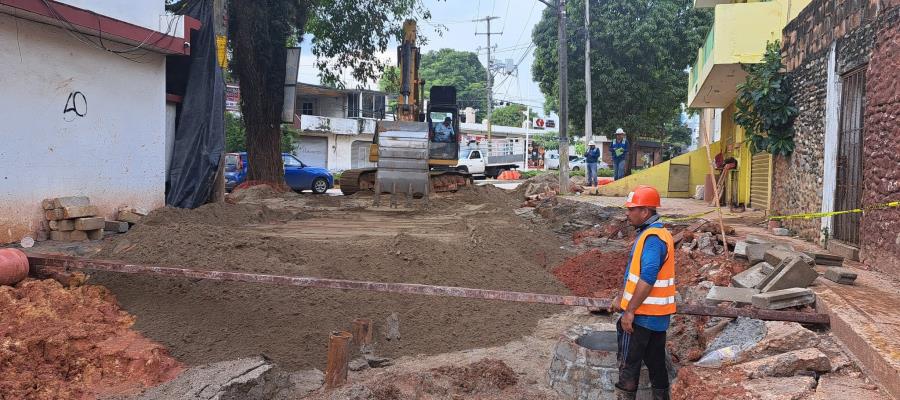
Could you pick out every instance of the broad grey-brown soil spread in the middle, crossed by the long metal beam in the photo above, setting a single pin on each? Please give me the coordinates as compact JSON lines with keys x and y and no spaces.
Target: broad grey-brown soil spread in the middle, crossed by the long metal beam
{"x":204,"y":321}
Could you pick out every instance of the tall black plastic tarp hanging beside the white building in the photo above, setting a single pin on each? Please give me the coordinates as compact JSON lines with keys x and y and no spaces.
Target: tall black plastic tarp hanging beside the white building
{"x":200,"y":131}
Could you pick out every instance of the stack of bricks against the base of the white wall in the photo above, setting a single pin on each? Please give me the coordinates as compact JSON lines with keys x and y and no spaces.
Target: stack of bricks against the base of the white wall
{"x":72,"y":219}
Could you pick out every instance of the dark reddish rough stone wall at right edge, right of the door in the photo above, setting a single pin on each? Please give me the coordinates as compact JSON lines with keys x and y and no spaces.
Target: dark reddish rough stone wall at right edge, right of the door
{"x":880,"y":230}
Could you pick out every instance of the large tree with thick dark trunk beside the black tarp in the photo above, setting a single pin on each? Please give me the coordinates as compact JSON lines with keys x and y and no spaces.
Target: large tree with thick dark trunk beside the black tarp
{"x":347,"y":35}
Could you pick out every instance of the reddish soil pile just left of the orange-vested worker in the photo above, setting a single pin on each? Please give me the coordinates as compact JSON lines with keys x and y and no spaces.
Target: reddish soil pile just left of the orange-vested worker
{"x":593,"y":273}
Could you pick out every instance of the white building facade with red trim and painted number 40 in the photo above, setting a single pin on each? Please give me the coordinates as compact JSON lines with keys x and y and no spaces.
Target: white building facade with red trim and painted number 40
{"x":80,"y":119}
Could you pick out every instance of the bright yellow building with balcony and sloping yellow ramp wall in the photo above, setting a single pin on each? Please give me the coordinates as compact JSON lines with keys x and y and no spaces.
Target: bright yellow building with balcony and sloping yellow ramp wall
{"x":740,"y":32}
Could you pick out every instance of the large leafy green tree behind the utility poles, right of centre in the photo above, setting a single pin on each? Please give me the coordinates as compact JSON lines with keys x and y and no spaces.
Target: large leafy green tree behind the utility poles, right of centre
{"x":639,"y":54}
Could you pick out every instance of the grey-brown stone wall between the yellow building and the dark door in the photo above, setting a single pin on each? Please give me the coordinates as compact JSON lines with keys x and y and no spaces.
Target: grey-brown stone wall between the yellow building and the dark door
{"x":797,"y":183}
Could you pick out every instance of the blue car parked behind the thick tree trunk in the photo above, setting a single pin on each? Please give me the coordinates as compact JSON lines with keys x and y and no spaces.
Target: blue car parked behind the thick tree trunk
{"x":297,"y":175}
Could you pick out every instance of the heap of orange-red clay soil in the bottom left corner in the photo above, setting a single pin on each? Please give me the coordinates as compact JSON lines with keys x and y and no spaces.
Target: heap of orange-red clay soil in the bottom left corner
{"x":59,"y":343}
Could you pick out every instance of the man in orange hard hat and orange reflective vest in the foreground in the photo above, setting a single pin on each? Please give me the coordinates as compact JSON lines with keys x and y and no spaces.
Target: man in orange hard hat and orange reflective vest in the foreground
{"x":648,"y":299}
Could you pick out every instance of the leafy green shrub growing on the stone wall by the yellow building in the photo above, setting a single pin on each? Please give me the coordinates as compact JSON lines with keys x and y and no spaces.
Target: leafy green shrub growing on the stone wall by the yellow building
{"x":764,"y":106}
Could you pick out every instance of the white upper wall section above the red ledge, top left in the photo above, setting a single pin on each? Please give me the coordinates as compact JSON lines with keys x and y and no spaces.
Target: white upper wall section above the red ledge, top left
{"x":145,"y":13}
